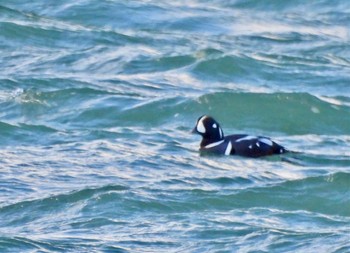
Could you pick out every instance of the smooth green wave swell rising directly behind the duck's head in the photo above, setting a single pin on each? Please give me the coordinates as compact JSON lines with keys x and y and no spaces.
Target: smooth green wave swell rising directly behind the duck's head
{"x":292,"y":113}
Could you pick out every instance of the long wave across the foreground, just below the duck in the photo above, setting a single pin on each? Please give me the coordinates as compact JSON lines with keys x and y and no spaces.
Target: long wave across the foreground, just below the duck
{"x":325,"y":194}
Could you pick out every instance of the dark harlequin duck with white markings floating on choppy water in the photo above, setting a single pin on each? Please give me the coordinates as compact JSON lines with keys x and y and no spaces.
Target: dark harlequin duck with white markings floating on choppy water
{"x":215,"y":142}
